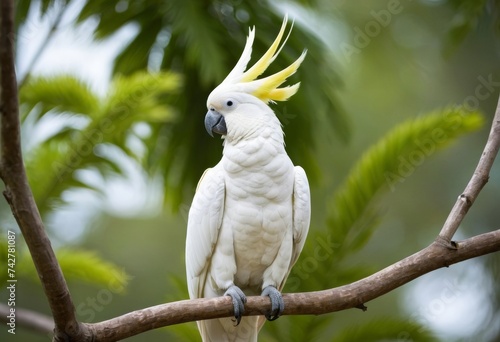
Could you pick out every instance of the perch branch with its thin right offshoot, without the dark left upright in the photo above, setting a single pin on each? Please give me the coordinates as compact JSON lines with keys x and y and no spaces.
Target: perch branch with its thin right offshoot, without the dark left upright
{"x":441,"y":253}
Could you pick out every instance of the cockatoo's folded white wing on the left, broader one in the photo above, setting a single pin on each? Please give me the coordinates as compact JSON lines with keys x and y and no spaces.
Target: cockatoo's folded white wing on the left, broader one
{"x":204,"y":222}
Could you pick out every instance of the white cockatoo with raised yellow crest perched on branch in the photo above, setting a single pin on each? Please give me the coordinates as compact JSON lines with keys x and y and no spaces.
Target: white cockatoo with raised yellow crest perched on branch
{"x":250,"y":215}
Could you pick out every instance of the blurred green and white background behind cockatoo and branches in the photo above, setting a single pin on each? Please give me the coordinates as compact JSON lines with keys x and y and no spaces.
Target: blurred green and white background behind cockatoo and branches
{"x":113,"y":99}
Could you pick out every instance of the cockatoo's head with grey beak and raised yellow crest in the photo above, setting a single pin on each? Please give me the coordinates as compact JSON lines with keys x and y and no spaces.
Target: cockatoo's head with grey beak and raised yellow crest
{"x":240,"y":101}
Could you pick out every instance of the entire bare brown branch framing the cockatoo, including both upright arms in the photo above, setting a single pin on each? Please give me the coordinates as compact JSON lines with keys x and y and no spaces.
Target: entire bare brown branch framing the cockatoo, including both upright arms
{"x":441,"y":253}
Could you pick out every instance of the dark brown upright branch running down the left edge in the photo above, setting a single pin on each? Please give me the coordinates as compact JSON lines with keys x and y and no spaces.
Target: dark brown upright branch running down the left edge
{"x":17,"y":190}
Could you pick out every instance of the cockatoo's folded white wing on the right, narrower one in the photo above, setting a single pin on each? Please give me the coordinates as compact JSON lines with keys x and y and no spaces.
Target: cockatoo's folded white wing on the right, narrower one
{"x":301,"y":213}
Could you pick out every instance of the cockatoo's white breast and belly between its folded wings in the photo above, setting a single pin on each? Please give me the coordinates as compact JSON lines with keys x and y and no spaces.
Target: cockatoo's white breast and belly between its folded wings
{"x":258,"y":211}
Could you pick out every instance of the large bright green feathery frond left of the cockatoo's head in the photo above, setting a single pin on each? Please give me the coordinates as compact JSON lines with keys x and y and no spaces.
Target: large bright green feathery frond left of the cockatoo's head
{"x":54,"y":163}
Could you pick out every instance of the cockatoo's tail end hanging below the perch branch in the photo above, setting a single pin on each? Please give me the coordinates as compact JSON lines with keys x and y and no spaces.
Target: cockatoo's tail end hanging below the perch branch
{"x":224,"y":330}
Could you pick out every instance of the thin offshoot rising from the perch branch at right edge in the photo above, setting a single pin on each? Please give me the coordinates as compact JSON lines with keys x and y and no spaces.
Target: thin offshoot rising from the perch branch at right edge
{"x":478,"y":180}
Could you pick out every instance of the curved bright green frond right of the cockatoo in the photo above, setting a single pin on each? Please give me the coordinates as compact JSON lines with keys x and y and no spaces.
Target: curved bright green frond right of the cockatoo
{"x":389,"y":162}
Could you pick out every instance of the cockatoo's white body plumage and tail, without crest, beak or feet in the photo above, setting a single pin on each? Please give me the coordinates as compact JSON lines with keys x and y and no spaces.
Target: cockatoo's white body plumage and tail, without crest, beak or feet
{"x":249,"y":218}
